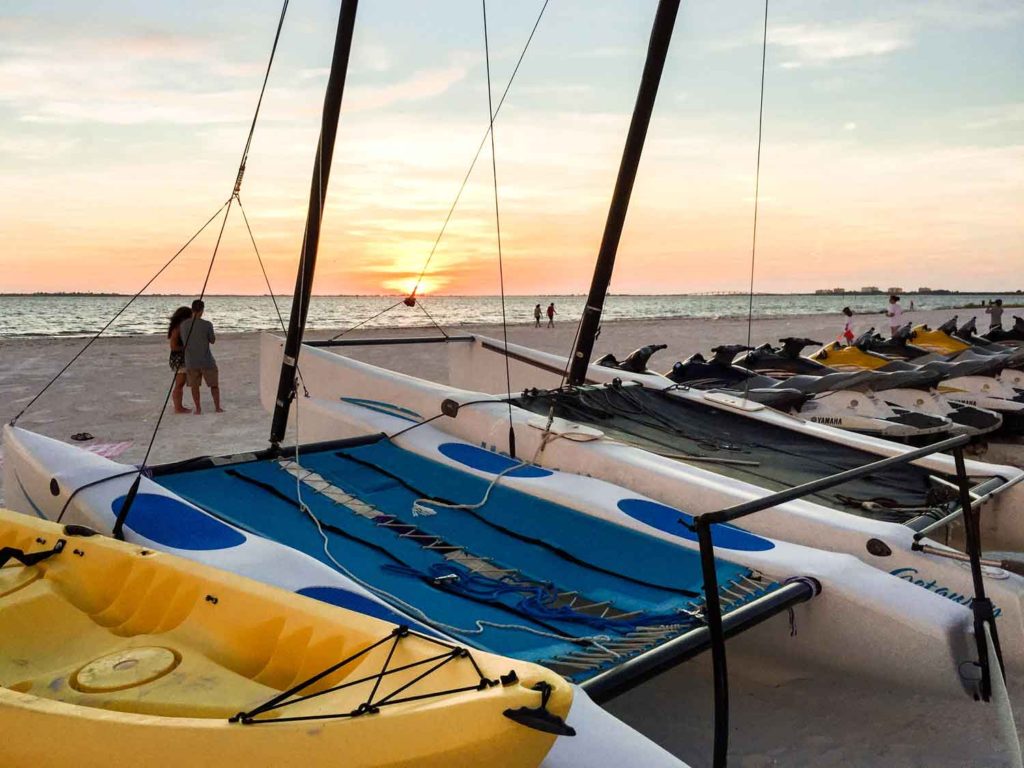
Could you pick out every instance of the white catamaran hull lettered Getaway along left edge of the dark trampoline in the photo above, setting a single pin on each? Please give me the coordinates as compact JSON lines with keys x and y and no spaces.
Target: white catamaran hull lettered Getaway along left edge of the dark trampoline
{"x":332,"y":378}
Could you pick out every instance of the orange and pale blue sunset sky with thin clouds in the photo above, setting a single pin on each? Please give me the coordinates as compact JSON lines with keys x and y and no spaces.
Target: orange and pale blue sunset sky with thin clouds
{"x":893,"y":145}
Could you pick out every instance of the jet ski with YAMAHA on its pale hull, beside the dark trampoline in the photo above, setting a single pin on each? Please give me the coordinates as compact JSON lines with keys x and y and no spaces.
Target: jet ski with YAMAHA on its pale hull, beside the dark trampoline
{"x":843,"y":400}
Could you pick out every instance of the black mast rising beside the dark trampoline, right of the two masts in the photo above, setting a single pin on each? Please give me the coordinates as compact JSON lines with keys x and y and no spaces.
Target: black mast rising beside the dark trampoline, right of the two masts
{"x":658,"y":51}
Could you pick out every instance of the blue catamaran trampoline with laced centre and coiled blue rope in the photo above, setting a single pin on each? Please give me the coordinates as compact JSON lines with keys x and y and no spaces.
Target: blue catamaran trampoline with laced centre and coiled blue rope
{"x":519,"y":576}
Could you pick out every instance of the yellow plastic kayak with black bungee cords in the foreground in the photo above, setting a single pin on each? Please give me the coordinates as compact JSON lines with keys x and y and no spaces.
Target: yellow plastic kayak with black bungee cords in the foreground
{"x":114,"y":655}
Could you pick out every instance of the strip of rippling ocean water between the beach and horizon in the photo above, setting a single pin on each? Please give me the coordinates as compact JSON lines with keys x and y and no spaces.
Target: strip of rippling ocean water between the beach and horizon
{"x":84,"y":316}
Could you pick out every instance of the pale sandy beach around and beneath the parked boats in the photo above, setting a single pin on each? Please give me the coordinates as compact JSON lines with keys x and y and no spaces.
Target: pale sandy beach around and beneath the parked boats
{"x":116,"y":391}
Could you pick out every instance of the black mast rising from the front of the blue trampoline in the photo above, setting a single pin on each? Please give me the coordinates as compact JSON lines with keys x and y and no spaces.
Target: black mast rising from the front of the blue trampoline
{"x":311,"y":241}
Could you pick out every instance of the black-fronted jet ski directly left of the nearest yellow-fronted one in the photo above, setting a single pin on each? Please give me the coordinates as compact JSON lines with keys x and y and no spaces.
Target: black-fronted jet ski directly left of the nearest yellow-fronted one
{"x":915,"y":391}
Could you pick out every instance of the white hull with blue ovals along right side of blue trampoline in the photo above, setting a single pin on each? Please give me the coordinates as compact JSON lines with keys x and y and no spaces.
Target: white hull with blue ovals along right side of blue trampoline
{"x":858,"y":609}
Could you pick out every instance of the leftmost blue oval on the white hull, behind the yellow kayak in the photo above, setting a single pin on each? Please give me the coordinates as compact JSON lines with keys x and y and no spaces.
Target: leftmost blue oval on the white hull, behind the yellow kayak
{"x":172,"y":523}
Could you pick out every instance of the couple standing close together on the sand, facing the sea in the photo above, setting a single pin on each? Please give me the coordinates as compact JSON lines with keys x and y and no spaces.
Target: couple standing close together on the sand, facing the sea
{"x":191,"y":360}
